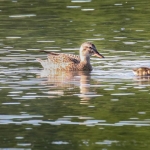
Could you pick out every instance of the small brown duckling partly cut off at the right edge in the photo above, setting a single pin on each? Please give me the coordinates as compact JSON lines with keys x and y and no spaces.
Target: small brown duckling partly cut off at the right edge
{"x":142,"y":71}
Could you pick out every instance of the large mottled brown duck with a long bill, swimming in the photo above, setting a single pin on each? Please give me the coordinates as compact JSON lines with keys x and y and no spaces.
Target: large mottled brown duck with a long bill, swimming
{"x":71,"y":62}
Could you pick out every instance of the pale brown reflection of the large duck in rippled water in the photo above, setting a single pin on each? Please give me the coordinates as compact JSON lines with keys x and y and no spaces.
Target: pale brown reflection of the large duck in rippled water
{"x":70,"y":81}
